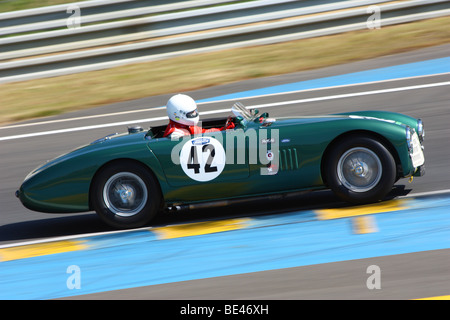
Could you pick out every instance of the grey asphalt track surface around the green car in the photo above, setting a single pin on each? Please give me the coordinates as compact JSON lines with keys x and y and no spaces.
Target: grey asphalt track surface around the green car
{"x":408,"y":275}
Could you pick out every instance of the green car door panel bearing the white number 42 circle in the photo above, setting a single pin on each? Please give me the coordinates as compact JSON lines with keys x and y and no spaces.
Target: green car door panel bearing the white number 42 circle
{"x":204,"y":164}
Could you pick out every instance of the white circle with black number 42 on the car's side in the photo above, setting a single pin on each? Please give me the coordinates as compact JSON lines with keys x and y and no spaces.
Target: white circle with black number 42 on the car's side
{"x":203,"y":158}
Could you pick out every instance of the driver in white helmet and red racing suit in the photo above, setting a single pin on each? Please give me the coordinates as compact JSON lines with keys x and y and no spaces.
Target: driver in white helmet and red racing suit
{"x":183,"y":115}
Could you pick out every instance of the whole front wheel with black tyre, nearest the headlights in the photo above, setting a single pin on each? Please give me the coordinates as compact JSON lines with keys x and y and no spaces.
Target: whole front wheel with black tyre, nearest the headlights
{"x":360,"y":170}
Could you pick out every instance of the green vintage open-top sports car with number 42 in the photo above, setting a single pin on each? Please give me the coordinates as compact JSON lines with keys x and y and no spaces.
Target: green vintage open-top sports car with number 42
{"x":128,"y":178}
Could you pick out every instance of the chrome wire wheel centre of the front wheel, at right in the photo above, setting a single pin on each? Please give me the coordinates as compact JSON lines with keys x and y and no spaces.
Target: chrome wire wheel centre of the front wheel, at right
{"x":359,"y":169}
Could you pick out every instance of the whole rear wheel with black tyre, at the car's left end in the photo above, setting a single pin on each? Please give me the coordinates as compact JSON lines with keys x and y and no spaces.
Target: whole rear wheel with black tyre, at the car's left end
{"x":125,"y":195}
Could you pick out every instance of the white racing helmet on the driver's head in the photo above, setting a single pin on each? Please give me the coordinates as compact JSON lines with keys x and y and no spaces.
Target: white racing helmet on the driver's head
{"x":182,"y":109}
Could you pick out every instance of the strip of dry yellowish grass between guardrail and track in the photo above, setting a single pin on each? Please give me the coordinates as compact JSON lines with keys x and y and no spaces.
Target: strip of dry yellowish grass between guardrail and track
{"x":36,"y":98}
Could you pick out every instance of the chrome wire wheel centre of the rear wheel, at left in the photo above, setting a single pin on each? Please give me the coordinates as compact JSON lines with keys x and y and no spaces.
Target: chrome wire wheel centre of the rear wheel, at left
{"x":125,"y":194}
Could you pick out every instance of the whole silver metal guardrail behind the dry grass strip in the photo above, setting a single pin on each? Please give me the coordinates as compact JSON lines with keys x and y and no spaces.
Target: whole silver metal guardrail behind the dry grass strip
{"x":166,"y":33}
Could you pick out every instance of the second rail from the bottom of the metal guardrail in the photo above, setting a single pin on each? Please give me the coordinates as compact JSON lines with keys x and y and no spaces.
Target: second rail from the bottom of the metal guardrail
{"x":157,"y":26}
